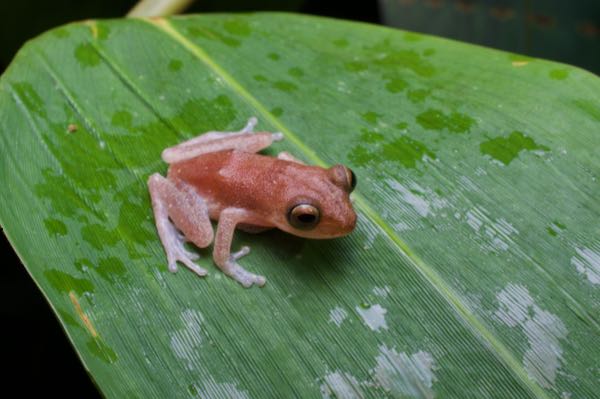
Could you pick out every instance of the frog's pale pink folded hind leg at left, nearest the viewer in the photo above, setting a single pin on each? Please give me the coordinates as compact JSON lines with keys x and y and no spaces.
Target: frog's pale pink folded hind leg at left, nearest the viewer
{"x":180,"y":208}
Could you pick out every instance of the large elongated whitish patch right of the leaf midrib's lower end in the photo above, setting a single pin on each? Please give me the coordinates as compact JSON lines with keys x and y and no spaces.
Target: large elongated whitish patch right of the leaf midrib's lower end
{"x":543,"y":330}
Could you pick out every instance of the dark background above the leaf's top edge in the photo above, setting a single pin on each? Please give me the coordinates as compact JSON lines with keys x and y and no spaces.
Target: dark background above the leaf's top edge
{"x":561,"y":30}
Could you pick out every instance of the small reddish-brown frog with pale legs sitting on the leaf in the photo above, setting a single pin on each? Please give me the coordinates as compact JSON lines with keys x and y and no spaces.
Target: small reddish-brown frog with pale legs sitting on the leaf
{"x":221,"y":176}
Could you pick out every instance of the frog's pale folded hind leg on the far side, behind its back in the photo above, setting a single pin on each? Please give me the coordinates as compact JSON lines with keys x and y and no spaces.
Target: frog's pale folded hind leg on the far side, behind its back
{"x":244,"y":140}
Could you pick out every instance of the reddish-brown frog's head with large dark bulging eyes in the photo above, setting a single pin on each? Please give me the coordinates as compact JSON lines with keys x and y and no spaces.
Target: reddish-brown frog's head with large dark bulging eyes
{"x":323,"y":209}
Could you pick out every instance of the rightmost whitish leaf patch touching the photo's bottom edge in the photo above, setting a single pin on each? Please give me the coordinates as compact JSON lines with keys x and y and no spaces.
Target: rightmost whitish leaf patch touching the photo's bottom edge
{"x":405,"y":375}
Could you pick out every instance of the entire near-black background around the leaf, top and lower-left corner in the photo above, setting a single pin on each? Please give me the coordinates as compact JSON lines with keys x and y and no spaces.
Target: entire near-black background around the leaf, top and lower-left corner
{"x":36,"y":355}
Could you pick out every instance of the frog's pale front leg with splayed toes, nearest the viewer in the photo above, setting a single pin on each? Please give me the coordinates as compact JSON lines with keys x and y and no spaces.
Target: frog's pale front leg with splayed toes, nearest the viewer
{"x":227,"y":261}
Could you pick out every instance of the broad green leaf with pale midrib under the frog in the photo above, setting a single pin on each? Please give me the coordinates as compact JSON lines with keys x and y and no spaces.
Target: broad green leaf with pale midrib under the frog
{"x":474,"y":270}
